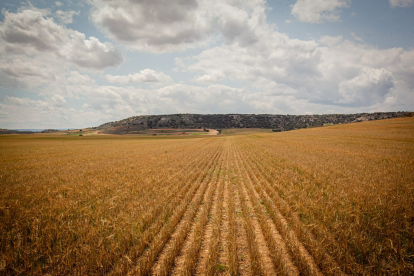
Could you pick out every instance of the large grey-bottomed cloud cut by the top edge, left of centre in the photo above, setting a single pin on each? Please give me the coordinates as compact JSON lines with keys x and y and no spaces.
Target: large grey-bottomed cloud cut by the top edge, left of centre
{"x":166,"y":26}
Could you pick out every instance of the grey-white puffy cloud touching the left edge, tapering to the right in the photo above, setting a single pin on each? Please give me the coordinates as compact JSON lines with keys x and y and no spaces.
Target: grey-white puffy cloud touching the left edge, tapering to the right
{"x":29,"y":33}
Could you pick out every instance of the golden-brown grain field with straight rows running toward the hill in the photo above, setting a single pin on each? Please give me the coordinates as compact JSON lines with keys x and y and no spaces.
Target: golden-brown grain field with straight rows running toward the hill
{"x":333,"y":200}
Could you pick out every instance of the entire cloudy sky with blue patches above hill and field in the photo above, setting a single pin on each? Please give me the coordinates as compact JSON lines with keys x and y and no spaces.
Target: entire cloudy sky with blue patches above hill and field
{"x":77,"y":64}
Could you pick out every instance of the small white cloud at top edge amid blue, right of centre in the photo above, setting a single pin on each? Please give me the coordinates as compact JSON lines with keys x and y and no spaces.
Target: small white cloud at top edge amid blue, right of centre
{"x":315,"y":11}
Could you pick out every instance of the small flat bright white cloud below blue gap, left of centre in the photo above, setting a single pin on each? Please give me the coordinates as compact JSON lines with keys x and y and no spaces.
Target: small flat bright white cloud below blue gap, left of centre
{"x":146,"y":75}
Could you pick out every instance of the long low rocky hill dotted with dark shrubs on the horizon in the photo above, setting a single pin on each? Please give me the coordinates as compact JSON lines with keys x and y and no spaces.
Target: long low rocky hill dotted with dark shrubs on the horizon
{"x":222,"y":121}
